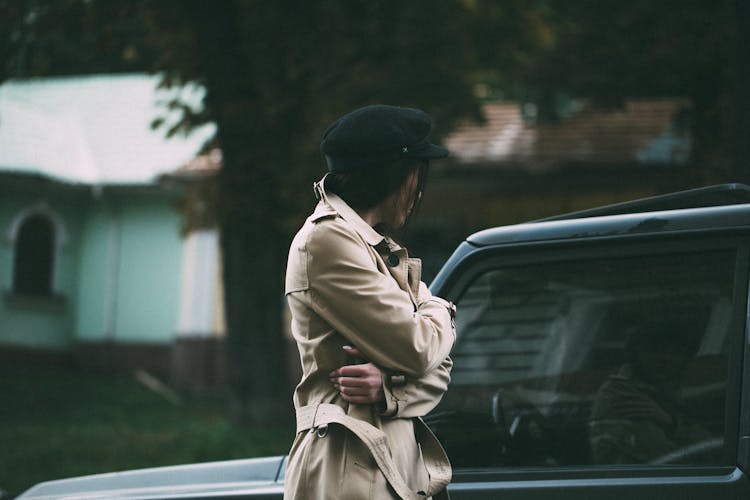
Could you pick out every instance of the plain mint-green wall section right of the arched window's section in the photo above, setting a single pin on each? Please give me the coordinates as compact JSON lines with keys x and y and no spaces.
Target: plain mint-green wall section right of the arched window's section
{"x":129,"y":291}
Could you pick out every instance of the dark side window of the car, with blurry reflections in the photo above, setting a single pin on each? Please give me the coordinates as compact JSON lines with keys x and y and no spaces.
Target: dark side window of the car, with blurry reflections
{"x":611,"y":361}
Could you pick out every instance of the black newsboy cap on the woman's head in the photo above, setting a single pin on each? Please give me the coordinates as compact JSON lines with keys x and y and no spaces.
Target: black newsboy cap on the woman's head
{"x":378,"y":133}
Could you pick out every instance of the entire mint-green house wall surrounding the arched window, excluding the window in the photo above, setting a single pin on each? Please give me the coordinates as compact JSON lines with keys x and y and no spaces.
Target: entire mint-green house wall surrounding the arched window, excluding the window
{"x":116,"y":277}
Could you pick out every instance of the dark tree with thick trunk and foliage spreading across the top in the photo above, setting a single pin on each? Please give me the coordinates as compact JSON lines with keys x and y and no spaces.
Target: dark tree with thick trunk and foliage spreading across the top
{"x":276,"y":73}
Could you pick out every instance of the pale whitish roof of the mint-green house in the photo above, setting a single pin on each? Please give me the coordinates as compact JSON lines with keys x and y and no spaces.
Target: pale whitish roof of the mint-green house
{"x":94,"y":129}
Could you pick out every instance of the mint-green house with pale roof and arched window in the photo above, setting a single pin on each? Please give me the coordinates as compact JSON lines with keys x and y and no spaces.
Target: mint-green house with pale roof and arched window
{"x":93,"y":259}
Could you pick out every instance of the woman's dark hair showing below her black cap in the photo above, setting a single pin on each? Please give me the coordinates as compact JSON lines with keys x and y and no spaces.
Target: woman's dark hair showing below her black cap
{"x":367,"y":187}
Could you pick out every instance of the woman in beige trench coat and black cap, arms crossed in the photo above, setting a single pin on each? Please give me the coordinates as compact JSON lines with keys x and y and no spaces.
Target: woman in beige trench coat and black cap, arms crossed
{"x":373,"y":342}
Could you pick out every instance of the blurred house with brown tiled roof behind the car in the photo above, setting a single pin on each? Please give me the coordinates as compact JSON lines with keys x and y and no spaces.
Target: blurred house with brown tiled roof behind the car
{"x":590,"y":156}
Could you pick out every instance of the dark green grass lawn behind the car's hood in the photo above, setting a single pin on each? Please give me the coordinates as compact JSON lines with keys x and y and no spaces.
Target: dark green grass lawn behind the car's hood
{"x":58,"y":421}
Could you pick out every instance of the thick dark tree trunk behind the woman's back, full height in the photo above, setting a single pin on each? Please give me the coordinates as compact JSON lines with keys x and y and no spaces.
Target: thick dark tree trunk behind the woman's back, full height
{"x":251,"y":241}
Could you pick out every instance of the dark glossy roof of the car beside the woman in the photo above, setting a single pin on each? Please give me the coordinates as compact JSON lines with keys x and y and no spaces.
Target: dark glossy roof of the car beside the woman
{"x":714,"y":207}
